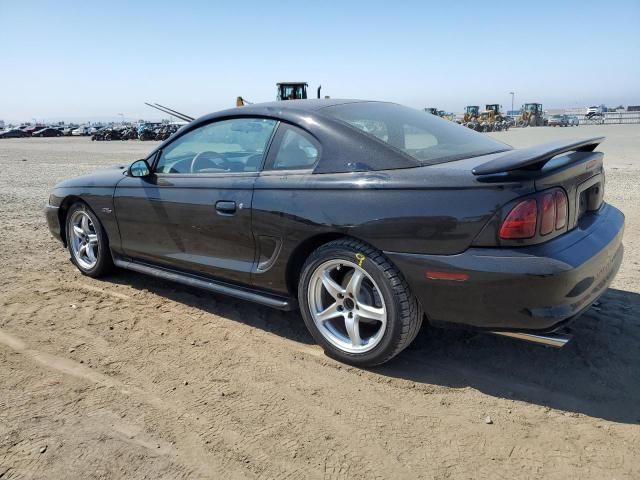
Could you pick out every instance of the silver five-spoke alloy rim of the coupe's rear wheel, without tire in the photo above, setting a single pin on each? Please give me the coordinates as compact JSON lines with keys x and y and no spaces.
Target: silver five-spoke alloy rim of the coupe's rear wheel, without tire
{"x":347,"y":306}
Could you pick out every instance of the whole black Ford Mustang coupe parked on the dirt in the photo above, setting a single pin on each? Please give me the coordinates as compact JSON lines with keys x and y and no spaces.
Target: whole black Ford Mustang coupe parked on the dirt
{"x":369,"y":216}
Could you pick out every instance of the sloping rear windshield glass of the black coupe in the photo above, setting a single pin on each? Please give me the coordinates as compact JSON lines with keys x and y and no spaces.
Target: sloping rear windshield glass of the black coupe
{"x":427,"y":138}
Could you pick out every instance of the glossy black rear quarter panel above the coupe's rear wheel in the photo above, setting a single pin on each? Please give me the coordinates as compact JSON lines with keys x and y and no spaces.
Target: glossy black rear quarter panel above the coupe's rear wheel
{"x":426,"y":210}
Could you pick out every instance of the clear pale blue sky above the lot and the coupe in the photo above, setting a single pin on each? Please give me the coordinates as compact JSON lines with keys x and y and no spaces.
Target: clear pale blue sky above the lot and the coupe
{"x":65,"y":60}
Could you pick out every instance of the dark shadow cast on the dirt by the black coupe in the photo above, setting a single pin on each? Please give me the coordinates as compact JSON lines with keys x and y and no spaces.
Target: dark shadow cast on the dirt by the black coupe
{"x":596,"y":374}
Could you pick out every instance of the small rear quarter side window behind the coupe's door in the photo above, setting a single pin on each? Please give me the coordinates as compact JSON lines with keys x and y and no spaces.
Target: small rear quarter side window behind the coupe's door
{"x":296,"y":150}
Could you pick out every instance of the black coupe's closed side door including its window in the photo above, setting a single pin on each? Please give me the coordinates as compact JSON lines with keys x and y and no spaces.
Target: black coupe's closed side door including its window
{"x":193,"y":211}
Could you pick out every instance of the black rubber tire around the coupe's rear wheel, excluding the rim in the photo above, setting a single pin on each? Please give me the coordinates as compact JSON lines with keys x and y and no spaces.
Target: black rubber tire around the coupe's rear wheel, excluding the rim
{"x":404,"y":317}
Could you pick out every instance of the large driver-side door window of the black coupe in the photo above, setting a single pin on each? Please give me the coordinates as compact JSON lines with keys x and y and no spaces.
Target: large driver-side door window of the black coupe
{"x":235,"y":145}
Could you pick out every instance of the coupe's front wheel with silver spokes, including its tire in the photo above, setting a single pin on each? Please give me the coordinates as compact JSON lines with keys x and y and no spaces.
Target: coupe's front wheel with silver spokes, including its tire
{"x":87,"y":241}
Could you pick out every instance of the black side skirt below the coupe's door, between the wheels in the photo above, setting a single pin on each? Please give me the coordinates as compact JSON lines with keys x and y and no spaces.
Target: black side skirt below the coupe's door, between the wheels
{"x":281,"y":303}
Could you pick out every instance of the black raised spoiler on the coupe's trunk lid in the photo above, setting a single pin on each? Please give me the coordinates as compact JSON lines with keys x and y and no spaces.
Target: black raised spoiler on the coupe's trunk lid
{"x":534,"y":157}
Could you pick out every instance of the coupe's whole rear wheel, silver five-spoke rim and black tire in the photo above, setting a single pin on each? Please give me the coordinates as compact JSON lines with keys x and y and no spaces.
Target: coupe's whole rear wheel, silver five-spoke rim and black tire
{"x":356,"y":304}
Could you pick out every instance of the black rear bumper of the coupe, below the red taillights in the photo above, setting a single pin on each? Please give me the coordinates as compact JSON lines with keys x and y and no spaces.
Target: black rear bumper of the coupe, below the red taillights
{"x":537,"y":288}
